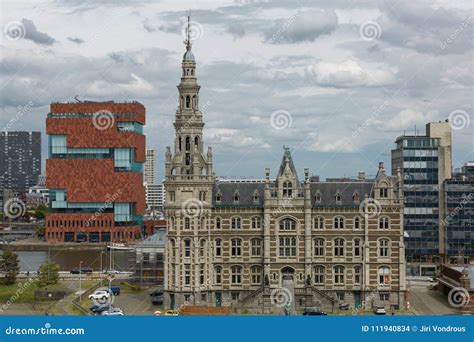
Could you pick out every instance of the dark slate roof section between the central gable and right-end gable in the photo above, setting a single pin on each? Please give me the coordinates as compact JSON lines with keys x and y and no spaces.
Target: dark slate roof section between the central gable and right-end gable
{"x":328,"y":191}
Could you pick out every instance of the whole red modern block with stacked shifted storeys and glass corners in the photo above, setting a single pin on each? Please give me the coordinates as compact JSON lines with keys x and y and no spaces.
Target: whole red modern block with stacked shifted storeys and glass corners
{"x":95,"y":171}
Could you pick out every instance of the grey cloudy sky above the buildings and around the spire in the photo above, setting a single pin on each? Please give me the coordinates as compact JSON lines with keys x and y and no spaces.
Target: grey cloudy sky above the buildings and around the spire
{"x":337,"y":81}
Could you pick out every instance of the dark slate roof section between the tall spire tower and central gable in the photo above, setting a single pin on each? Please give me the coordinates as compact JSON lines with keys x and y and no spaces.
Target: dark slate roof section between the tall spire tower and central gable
{"x":246,"y":191}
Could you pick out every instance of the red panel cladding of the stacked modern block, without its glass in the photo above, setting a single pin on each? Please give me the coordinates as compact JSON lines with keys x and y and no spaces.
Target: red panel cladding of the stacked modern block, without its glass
{"x":94,"y":180}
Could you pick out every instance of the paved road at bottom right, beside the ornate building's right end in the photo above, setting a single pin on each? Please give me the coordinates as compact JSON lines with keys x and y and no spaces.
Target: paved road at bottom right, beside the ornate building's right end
{"x":429,"y":302}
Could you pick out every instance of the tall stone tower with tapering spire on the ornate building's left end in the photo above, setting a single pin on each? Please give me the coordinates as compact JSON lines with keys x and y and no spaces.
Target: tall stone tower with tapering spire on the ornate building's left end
{"x":188,"y":182}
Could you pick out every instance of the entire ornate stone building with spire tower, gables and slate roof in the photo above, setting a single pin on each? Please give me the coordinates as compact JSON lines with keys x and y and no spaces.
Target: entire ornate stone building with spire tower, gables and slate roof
{"x":251,"y":244}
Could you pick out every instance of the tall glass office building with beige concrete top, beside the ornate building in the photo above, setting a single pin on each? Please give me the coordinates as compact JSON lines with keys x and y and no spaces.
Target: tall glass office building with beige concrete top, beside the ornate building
{"x":425,"y":163}
